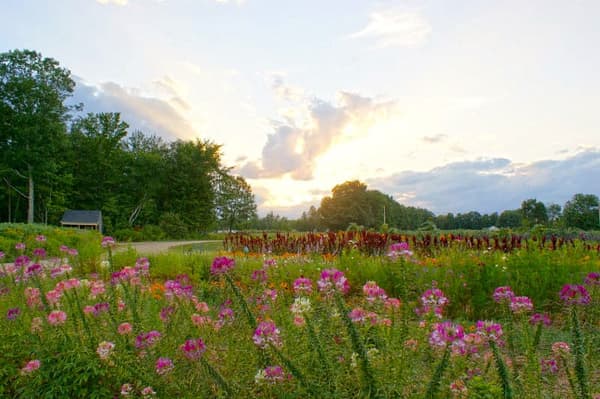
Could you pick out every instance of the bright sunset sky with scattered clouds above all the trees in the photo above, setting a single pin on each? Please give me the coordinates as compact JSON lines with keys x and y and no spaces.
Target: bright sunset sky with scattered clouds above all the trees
{"x":453,"y":106}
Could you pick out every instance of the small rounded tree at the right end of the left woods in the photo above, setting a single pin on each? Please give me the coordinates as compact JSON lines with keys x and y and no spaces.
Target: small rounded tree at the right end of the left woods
{"x":235,"y":204}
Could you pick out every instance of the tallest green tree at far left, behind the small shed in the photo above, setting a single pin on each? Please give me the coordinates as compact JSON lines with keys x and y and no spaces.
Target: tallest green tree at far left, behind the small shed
{"x":33,"y":90}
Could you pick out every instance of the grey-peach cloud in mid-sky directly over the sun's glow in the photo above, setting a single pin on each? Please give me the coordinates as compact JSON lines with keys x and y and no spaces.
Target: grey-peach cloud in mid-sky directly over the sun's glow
{"x":295,"y":144}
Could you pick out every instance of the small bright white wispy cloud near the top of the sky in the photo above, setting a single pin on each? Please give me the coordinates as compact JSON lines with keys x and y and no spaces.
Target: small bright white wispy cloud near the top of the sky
{"x":396,"y":28}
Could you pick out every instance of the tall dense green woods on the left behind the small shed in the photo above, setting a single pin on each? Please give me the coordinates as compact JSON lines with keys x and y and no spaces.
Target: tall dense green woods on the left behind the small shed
{"x":55,"y":157}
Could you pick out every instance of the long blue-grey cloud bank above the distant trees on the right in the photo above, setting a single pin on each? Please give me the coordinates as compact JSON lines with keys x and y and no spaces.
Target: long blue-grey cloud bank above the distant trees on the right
{"x":495,"y":184}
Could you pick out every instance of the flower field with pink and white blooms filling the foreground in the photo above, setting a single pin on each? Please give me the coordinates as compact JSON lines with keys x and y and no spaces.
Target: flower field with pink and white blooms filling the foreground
{"x":450,"y":320}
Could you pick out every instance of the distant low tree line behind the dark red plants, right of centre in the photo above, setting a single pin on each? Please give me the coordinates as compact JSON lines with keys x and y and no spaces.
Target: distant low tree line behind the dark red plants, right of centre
{"x":352,"y":205}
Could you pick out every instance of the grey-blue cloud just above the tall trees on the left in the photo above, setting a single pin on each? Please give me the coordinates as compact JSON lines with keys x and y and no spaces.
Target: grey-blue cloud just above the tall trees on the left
{"x":151,"y":115}
